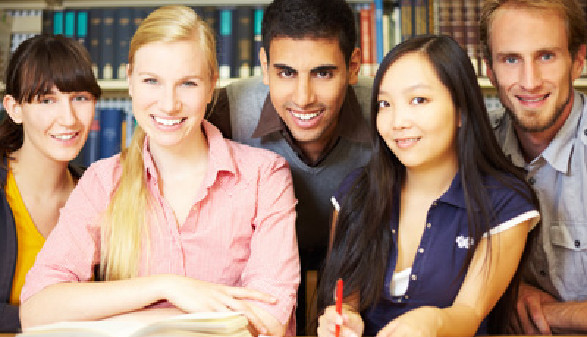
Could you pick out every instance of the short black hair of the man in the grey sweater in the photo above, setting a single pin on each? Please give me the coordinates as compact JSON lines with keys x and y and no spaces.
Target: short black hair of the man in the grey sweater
{"x":301,"y":19}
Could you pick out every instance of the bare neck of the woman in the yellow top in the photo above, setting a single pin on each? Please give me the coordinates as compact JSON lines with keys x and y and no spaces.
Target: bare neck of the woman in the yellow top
{"x":53,"y":177}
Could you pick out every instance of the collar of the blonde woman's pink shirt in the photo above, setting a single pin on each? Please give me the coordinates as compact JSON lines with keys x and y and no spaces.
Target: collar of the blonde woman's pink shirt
{"x":220,"y":158}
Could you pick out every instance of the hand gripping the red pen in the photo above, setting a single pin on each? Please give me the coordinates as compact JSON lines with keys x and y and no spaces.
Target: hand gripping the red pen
{"x":351,"y":324}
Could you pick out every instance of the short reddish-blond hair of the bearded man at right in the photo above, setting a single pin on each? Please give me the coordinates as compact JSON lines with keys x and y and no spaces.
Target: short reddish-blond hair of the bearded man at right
{"x":569,"y":10}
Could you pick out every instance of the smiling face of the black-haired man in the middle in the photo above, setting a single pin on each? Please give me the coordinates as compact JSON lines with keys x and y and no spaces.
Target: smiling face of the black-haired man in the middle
{"x":308,"y":80}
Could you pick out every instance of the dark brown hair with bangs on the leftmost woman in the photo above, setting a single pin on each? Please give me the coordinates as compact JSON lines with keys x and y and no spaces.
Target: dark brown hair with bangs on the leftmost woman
{"x":38,"y":64}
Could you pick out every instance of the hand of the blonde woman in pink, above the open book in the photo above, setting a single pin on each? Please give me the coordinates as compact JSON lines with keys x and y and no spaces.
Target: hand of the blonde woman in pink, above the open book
{"x":192,"y":295}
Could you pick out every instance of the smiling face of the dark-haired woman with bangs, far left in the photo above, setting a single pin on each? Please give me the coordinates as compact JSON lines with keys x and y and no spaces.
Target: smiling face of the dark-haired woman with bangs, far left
{"x":55,"y":124}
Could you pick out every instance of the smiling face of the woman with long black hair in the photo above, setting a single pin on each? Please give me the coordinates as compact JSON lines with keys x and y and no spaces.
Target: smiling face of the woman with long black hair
{"x":416,"y":116}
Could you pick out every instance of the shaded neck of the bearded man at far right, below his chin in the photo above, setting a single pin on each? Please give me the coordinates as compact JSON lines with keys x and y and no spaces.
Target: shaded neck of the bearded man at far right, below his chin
{"x":534,"y":143}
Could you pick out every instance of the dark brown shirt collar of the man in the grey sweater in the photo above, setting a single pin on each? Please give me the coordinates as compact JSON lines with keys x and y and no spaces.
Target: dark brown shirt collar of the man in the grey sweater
{"x":351,"y":124}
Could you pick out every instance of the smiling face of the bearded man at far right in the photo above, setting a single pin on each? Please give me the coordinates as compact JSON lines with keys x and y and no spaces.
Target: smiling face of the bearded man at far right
{"x":532,"y":66}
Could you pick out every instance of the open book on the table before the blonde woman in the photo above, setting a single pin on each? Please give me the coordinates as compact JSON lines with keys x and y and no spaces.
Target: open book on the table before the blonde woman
{"x":201,"y":324}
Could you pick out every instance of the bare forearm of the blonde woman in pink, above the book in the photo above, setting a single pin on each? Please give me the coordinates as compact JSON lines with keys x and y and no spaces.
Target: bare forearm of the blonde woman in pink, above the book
{"x":90,"y":300}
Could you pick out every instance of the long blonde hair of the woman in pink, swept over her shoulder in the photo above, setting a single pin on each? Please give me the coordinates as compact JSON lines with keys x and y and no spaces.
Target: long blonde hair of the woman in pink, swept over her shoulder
{"x":125,"y":226}
